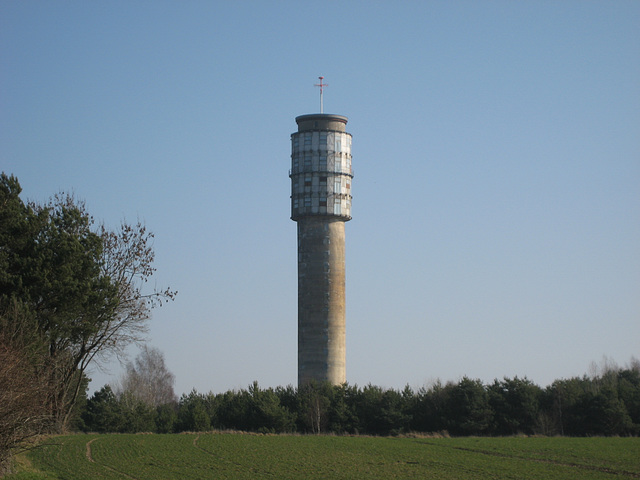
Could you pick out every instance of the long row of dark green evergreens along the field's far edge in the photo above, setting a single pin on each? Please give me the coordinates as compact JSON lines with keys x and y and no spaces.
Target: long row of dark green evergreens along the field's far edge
{"x":605,"y":404}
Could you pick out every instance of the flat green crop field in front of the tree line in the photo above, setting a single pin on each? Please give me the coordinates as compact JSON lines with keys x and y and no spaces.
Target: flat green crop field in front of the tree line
{"x":239,"y":456}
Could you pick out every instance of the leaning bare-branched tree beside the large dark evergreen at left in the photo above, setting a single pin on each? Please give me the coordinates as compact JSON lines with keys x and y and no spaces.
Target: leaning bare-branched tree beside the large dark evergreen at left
{"x":126,"y":264}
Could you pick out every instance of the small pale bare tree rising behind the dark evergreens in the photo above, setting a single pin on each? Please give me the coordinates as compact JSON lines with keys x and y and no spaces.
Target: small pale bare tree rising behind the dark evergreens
{"x":148,"y":379}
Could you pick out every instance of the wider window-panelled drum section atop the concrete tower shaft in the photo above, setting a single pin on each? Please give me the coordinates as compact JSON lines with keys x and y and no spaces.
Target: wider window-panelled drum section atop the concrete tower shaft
{"x":321,"y":173}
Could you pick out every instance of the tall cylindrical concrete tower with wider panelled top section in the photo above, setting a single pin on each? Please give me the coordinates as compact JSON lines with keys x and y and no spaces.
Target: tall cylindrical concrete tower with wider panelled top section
{"x":321,"y":203}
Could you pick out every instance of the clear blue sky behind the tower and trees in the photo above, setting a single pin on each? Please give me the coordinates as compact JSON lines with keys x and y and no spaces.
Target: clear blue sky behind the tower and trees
{"x":496,"y":152}
